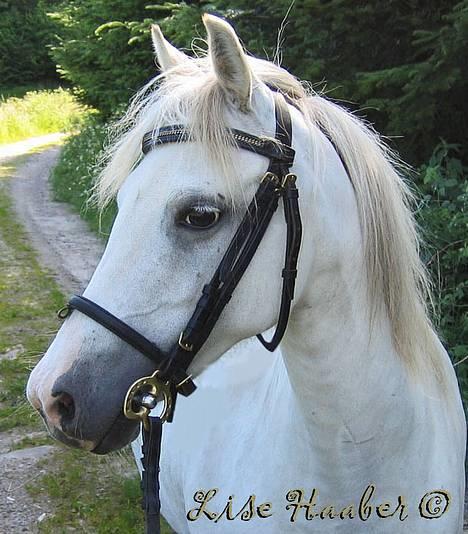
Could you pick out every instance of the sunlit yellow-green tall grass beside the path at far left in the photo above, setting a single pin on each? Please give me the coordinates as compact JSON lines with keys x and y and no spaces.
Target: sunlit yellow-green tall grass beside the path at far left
{"x":39,"y":113}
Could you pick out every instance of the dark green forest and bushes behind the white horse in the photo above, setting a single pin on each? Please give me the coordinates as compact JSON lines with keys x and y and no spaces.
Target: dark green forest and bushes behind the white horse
{"x":400,"y":64}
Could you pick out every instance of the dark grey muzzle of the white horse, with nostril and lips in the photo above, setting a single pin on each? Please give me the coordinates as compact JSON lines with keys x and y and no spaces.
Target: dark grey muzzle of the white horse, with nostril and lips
{"x":83,"y":407}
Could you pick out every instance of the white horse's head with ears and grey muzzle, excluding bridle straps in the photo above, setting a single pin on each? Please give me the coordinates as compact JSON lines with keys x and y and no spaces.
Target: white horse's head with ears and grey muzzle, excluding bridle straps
{"x":178,"y":209}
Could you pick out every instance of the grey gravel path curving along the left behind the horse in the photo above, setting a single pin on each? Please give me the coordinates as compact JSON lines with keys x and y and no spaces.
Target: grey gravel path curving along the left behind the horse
{"x":70,"y":252}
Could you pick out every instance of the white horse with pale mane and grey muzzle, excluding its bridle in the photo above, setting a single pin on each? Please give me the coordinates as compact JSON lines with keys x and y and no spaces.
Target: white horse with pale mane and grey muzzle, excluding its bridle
{"x":356,"y":424}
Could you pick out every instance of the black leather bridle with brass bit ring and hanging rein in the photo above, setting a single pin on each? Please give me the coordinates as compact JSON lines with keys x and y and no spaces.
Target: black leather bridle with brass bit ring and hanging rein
{"x":171,"y":376}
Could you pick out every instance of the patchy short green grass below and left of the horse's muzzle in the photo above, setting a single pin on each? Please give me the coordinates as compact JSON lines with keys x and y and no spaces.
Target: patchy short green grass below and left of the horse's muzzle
{"x":88,"y":494}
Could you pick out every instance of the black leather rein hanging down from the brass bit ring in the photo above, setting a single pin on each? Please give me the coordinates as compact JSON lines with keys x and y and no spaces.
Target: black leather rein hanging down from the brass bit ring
{"x":150,"y":477}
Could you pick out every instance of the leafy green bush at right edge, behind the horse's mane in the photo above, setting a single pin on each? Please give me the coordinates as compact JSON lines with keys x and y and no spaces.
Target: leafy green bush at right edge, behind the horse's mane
{"x":444,"y":218}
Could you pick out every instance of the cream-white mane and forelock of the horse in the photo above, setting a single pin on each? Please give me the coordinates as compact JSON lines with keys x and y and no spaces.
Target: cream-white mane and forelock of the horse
{"x":189,"y":94}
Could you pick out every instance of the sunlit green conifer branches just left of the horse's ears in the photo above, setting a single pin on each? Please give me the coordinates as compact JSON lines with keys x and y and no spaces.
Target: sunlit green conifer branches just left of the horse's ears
{"x":101,"y":63}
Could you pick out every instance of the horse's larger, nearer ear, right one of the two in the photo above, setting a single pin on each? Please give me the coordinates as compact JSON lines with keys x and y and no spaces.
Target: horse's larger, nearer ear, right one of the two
{"x":229,"y":60}
